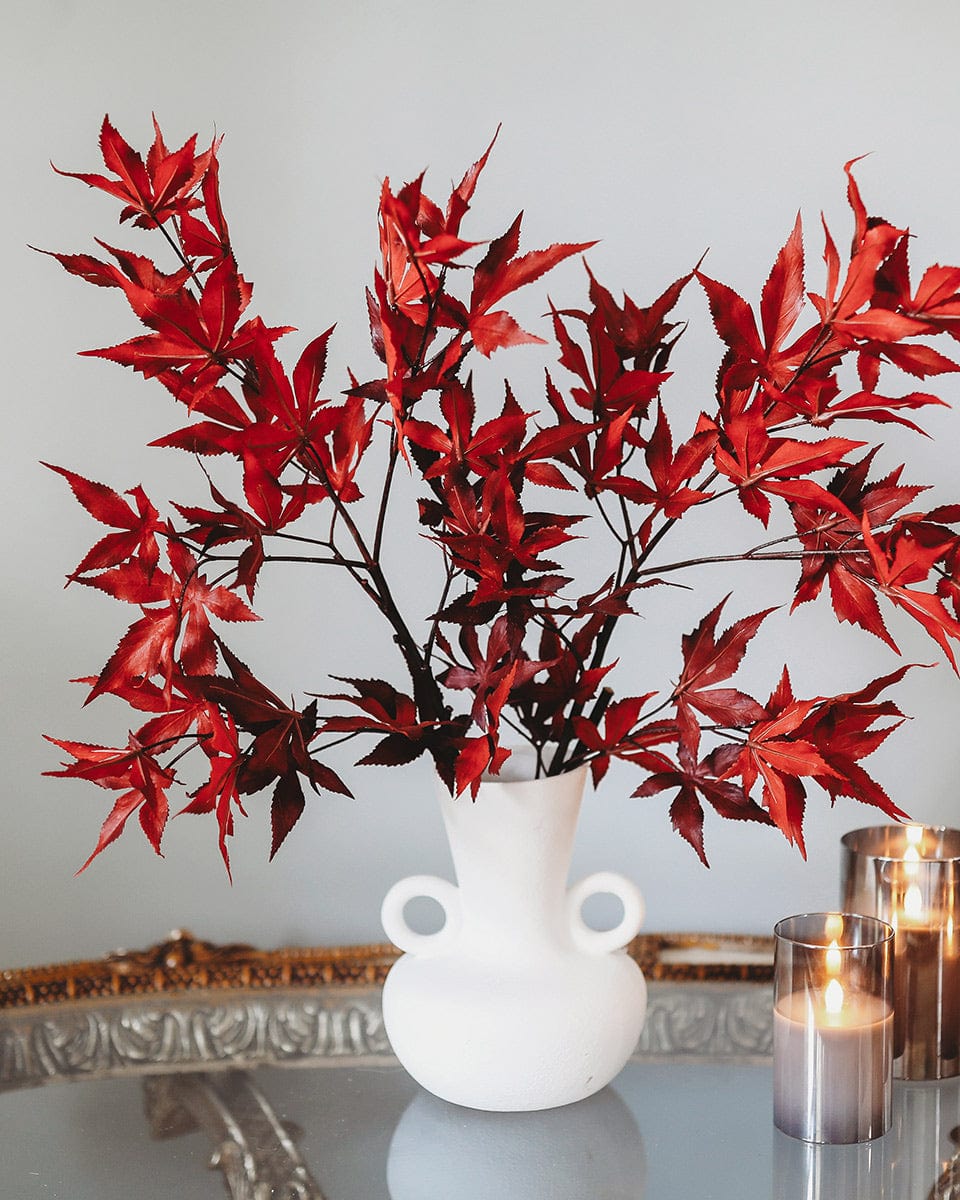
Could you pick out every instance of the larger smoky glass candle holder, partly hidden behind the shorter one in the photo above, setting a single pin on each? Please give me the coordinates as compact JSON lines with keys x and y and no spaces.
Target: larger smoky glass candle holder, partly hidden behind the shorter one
{"x":910,"y":878}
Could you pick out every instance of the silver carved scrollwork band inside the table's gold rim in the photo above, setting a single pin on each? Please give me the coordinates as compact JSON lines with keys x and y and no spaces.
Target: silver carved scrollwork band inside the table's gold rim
{"x":340,"y":1025}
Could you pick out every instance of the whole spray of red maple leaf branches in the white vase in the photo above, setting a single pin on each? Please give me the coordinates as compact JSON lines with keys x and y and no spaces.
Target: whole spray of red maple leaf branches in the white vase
{"x":515,"y":645}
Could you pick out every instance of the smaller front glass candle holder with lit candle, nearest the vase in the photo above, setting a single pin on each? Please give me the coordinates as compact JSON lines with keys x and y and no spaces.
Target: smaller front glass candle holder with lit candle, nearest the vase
{"x":833,"y":1028}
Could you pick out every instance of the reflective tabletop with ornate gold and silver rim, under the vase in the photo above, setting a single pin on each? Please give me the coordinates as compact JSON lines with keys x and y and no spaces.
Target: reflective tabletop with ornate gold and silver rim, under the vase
{"x":289,"y":1091}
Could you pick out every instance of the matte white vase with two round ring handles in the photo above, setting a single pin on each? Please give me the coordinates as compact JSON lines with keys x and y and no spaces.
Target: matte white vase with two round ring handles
{"x":515,"y":1004}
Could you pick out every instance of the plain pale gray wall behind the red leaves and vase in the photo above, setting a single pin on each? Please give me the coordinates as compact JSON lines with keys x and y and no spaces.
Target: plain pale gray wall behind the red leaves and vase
{"x":662,"y":129}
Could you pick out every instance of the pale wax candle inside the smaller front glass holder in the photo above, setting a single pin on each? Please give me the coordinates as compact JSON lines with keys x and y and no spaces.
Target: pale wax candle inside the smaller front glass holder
{"x":832,"y":1066}
